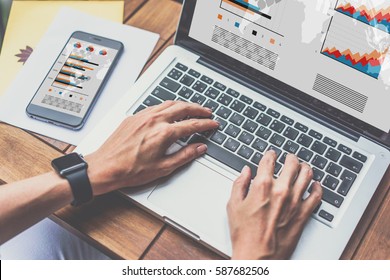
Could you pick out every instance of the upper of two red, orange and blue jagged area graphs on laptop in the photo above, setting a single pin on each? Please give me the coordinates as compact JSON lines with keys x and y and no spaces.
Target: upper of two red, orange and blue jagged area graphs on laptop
{"x":369,"y":12}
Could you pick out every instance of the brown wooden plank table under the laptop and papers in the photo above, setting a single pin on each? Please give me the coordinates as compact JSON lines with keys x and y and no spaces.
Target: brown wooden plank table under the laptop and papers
{"x":124,"y":231}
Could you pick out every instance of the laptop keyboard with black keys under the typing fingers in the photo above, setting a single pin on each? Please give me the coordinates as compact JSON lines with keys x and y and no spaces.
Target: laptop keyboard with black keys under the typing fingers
{"x":248,"y":129}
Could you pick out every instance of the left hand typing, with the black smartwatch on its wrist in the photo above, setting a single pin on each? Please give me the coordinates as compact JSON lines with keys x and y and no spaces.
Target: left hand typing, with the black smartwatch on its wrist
{"x":135,"y":154}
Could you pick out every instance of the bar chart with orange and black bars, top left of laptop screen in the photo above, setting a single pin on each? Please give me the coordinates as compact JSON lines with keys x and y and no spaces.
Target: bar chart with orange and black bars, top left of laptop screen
{"x":265,"y":13}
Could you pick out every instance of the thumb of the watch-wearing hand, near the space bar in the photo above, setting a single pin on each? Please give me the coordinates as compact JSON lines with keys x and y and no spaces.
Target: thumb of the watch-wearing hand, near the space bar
{"x":185,"y":155}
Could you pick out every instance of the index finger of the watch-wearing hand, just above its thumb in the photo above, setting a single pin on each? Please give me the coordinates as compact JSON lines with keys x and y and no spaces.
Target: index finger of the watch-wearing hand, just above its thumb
{"x":189,"y":127}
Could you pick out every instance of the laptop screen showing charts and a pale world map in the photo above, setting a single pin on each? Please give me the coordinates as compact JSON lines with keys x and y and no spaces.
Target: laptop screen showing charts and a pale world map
{"x":337,"y":51}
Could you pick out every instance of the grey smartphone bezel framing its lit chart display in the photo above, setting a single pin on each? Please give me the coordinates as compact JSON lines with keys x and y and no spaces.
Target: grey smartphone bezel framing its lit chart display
{"x":66,"y":120}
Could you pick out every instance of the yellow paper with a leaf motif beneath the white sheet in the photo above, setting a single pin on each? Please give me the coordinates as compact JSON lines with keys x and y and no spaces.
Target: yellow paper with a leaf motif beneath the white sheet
{"x":28,"y":22}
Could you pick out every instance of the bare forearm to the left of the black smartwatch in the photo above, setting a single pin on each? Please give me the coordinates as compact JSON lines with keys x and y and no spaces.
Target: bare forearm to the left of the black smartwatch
{"x":24,"y":203}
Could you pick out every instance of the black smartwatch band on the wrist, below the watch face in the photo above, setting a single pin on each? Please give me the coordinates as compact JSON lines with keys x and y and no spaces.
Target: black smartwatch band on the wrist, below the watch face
{"x":80,"y":185}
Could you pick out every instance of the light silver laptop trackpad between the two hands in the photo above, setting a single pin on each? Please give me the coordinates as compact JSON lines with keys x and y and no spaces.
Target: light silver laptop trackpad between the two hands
{"x":195,"y":197}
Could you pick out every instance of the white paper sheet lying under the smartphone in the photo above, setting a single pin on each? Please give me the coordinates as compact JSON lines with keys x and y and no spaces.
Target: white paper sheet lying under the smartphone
{"x":138,"y":45}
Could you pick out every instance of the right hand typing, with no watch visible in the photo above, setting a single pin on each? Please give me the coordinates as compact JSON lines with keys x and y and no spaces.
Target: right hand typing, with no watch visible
{"x":267,"y":219}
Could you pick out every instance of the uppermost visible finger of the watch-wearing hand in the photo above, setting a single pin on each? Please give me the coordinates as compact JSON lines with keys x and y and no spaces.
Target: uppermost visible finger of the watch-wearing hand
{"x":181,"y":110}
